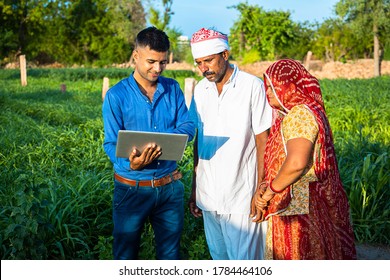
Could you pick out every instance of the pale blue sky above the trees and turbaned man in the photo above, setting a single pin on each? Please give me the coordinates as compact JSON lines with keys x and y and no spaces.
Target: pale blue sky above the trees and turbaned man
{"x":191,"y":15}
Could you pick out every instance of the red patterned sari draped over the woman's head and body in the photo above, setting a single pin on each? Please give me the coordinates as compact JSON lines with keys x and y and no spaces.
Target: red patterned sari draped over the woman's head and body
{"x":327,"y":191}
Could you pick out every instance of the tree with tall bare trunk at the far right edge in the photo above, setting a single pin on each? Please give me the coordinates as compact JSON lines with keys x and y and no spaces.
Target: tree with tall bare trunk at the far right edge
{"x":368,"y":17}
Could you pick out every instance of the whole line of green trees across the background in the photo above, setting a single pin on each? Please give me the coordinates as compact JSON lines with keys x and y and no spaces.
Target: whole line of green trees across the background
{"x":101,"y":32}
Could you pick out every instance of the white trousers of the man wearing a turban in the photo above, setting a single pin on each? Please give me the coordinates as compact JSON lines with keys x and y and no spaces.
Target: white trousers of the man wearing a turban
{"x":234,"y":236}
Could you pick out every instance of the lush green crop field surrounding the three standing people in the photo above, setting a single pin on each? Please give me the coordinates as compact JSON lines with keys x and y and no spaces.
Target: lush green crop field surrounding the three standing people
{"x":56,"y":181}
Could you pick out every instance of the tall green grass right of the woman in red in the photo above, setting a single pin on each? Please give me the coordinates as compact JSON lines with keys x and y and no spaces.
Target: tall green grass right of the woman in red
{"x":359,"y":114}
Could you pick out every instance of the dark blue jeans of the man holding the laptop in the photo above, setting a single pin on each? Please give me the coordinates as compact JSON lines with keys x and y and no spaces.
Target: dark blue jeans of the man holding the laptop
{"x":165,"y":210}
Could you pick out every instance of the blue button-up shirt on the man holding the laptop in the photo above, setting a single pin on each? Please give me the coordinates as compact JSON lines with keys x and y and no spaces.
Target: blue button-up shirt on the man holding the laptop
{"x":126,"y":108}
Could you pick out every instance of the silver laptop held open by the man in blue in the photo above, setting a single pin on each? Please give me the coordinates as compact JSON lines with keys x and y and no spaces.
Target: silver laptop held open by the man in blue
{"x":172,"y":145}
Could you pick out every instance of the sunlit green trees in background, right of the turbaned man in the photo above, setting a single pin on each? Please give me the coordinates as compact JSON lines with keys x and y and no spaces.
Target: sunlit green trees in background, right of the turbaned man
{"x":273,"y":34}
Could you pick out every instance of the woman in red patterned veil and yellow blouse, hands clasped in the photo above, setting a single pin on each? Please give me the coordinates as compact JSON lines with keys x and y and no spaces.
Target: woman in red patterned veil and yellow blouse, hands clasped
{"x":304,"y":200}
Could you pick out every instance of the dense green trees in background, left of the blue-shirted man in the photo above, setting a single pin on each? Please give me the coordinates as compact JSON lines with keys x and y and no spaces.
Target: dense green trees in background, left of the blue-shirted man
{"x":78,"y":31}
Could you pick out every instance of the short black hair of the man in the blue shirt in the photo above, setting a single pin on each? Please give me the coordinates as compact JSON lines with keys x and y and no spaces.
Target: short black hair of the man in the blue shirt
{"x":153,"y":38}
